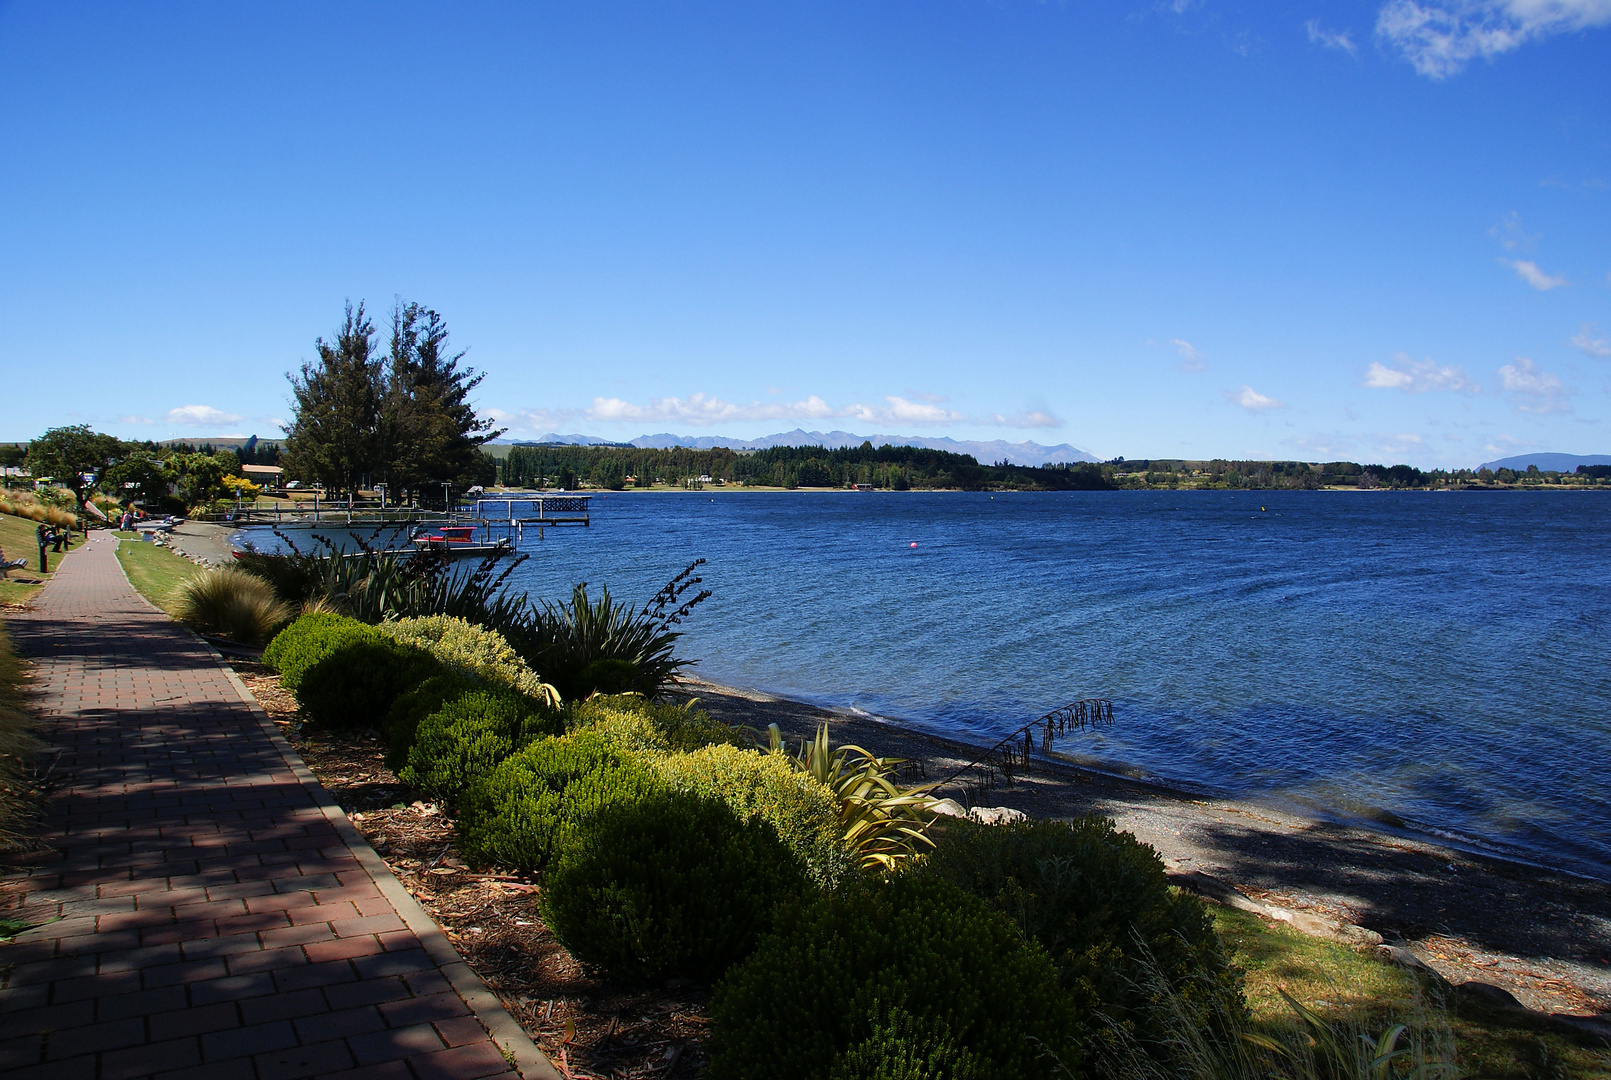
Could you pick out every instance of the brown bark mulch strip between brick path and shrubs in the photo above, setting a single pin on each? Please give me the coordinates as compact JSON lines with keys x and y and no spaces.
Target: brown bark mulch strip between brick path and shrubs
{"x":590,"y":1026}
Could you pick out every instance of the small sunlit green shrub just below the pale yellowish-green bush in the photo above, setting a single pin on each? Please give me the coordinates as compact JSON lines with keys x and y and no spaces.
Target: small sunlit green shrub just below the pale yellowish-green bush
{"x":470,"y":736}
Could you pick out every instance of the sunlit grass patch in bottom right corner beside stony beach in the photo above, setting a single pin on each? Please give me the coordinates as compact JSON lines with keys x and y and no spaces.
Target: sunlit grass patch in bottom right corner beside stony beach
{"x":1354,"y":986}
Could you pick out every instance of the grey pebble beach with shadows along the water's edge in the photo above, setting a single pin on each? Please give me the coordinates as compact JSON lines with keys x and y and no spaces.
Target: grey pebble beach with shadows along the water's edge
{"x":1541,"y":934}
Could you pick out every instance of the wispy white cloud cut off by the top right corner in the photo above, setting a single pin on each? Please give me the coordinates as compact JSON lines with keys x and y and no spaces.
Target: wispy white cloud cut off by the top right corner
{"x":1441,"y":36}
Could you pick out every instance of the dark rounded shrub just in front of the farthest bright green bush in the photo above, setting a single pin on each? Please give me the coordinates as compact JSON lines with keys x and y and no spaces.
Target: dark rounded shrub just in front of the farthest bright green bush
{"x":357,"y":683}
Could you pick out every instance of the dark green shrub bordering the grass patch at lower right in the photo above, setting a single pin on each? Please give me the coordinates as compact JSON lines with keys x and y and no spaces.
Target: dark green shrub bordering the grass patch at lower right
{"x":1100,"y":903}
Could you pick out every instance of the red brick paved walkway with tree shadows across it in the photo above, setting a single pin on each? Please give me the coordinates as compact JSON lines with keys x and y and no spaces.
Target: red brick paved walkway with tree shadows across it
{"x":207,"y":910}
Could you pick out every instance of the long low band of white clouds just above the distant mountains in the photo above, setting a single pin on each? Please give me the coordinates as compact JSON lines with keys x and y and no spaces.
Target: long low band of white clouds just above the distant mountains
{"x":703,"y":410}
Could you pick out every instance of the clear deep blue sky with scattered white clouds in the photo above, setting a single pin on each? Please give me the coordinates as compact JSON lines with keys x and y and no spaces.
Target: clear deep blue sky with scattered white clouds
{"x":1375,"y":231}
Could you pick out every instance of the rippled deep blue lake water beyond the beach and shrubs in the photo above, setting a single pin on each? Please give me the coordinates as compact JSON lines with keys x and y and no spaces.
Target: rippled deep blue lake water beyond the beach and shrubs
{"x":1439,"y":657}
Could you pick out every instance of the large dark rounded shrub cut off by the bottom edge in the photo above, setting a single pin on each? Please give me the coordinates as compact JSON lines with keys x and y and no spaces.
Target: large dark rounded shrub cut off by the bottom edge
{"x":893,"y":968}
